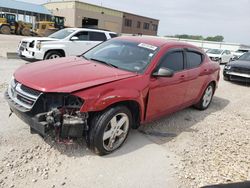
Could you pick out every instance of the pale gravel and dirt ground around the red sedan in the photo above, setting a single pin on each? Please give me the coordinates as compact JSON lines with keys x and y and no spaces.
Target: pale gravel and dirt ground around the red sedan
{"x":187,"y":149}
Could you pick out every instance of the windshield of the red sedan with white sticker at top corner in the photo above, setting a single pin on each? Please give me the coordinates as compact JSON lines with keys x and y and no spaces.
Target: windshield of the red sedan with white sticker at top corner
{"x":130,"y":56}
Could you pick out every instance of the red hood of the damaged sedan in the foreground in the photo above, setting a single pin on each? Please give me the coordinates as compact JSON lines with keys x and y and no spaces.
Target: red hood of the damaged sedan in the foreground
{"x":68,"y":74}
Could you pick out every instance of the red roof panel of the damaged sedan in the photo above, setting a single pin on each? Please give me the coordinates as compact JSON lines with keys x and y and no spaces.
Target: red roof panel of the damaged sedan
{"x":156,"y":41}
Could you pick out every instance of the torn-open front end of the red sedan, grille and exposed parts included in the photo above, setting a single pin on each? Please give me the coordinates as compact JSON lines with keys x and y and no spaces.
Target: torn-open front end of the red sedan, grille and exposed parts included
{"x":48,"y":114}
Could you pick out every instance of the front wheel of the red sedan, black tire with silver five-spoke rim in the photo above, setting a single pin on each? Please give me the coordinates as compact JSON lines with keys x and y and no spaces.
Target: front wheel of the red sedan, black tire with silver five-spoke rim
{"x":109,"y":130}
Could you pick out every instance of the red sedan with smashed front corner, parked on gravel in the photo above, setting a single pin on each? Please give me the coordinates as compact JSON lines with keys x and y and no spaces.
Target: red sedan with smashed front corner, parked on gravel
{"x":116,"y":86}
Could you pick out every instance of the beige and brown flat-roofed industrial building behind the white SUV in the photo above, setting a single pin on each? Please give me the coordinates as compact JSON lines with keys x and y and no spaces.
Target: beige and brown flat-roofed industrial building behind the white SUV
{"x":80,"y":14}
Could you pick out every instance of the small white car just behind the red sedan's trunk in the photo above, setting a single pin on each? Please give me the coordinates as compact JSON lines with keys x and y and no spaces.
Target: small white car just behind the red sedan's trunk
{"x":219,"y":55}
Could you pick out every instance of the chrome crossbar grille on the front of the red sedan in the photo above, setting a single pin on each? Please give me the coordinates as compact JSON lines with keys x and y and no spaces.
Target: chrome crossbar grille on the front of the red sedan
{"x":22,"y":96}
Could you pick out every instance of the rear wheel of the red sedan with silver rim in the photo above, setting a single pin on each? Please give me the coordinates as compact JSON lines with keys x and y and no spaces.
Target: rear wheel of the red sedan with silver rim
{"x":206,"y":98}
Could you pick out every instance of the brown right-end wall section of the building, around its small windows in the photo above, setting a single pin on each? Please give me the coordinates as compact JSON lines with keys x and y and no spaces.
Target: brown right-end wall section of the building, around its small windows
{"x":134,"y":29}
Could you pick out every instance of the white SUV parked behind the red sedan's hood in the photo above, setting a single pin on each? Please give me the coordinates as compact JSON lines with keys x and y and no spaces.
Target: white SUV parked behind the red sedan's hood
{"x":66,"y":42}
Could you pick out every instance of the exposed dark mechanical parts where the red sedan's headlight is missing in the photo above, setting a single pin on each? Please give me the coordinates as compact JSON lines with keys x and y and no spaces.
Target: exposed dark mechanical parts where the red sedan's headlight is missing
{"x":61,"y":116}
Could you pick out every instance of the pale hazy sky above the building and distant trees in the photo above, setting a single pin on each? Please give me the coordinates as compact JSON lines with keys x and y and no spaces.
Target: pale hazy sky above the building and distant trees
{"x":229,"y":18}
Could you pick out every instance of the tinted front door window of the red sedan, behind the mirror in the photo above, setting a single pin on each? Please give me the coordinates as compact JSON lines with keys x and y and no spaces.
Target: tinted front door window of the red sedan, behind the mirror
{"x":173,"y":61}
